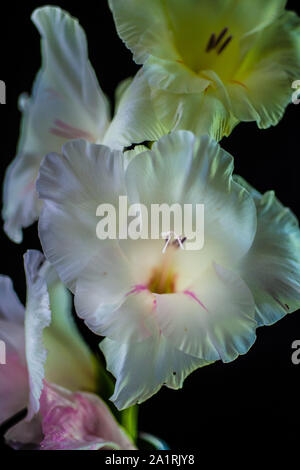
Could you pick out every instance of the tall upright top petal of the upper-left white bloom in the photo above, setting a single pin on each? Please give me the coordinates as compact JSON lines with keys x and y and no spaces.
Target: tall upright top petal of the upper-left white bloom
{"x":68,"y":71}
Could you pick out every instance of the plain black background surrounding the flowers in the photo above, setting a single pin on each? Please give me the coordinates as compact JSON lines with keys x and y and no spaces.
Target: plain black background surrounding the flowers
{"x":253,"y":401}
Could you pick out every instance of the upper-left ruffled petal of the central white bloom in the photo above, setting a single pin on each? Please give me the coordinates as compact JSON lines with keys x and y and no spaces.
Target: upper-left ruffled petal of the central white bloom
{"x":72,"y":186}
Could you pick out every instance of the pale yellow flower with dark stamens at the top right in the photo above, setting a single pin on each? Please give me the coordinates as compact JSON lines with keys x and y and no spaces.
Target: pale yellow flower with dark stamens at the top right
{"x":213,"y":63}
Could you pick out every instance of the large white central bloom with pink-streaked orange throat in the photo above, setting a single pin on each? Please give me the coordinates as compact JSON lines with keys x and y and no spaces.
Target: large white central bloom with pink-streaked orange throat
{"x":167,"y":313}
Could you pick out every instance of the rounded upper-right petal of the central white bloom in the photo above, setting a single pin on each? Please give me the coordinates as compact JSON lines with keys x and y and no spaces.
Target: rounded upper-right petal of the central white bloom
{"x":184,"y":169}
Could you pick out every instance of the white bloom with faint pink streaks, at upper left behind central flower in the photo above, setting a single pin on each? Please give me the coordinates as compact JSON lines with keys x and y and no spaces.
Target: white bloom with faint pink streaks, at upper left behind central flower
{"x":66,"y":103}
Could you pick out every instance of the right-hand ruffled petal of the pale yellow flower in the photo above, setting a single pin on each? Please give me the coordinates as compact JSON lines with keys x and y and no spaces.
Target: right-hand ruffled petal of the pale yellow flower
{"x":261,"y":88}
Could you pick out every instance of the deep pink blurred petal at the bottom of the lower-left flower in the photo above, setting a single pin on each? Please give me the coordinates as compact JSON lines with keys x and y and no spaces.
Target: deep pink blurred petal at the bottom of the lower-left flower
{"x":78,"y":421}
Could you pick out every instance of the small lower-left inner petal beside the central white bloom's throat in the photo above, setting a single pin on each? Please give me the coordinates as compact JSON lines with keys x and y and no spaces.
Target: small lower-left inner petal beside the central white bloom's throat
{"x":104,"y":300}
